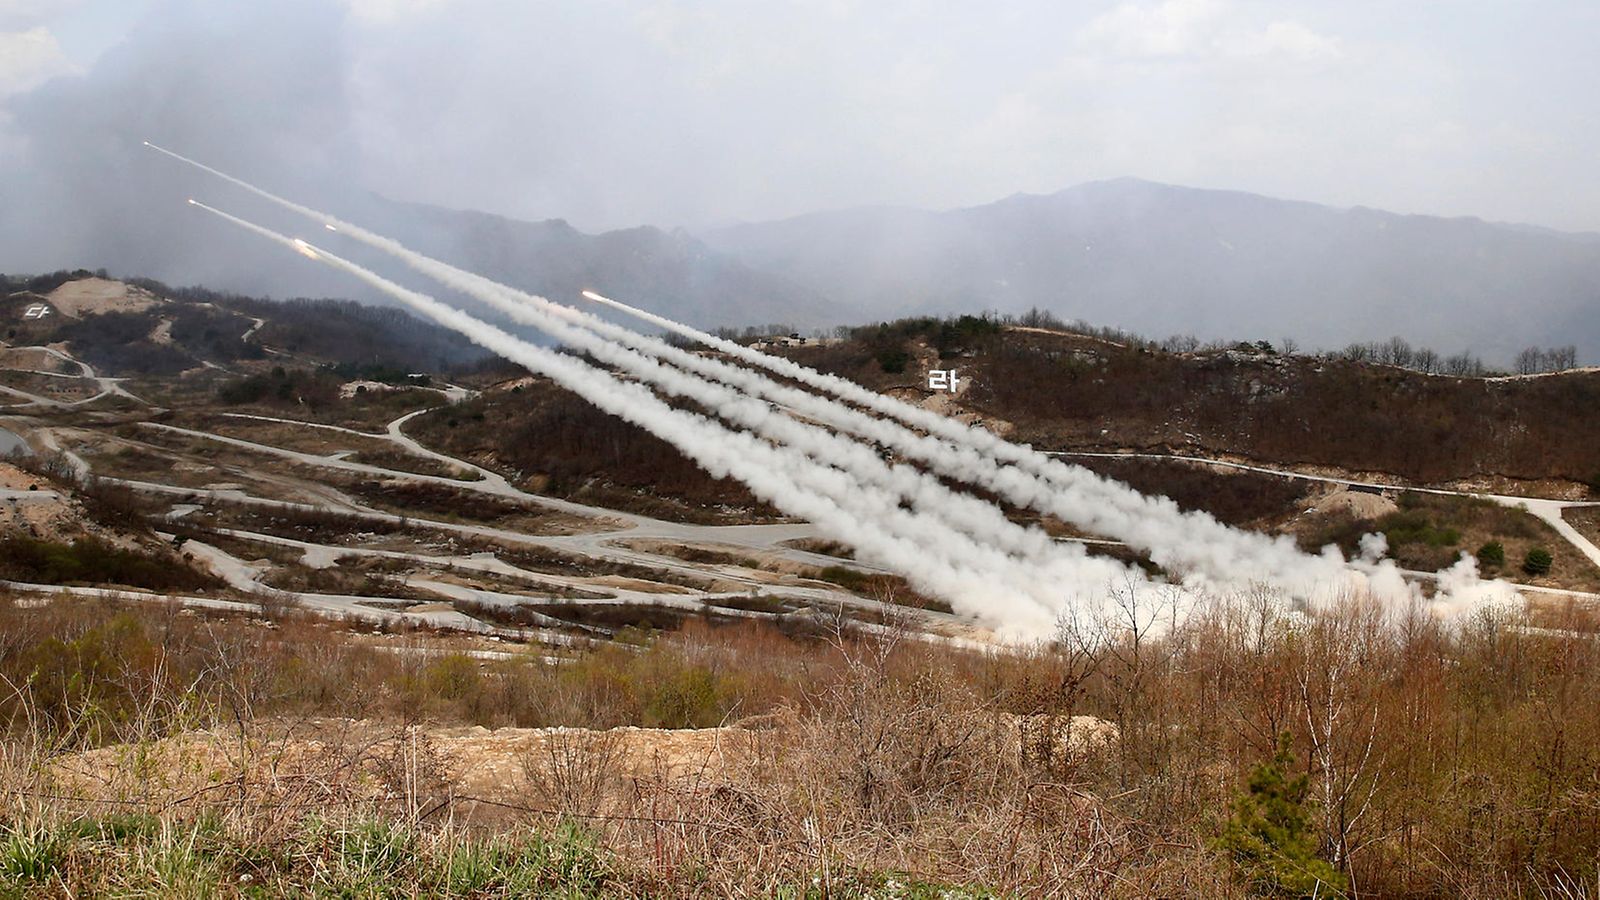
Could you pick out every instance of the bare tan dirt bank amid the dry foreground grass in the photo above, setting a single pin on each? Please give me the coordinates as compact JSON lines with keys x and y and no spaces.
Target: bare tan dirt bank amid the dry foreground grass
{"x":510,"y":769}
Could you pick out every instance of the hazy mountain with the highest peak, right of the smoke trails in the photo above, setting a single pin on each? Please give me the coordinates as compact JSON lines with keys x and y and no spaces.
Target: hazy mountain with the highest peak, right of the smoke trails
{"x":1164,"y":260}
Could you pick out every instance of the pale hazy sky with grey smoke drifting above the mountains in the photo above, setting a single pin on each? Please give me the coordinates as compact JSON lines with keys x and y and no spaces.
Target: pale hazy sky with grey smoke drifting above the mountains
{"x":678,"y":113}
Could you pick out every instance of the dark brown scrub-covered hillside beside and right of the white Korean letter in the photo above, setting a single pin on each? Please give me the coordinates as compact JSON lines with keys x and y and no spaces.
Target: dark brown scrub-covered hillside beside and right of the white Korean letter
{"x":1116,"y":392}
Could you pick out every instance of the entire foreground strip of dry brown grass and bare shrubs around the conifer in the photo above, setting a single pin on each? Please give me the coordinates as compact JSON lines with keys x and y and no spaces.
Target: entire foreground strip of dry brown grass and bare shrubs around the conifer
{"x":1444,"y":760}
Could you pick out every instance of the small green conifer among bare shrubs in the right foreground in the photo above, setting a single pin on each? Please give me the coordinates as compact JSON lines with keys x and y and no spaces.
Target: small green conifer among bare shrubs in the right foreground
{"x":1270,"y":834}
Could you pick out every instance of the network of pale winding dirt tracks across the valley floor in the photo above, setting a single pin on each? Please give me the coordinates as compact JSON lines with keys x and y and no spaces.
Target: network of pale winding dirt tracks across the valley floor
{"x":609,"y":542}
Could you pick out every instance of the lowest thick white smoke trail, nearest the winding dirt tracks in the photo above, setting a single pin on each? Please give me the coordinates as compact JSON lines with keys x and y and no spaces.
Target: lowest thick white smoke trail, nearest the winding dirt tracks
{"x":983,"y":585}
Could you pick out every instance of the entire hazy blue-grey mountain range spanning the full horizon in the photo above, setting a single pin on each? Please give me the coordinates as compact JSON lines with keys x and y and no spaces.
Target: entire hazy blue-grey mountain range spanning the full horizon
{"x":1151,"y":259}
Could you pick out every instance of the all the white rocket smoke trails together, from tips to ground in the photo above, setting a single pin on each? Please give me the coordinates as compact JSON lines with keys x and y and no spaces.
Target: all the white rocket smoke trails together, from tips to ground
{"x":946,"y":544}
